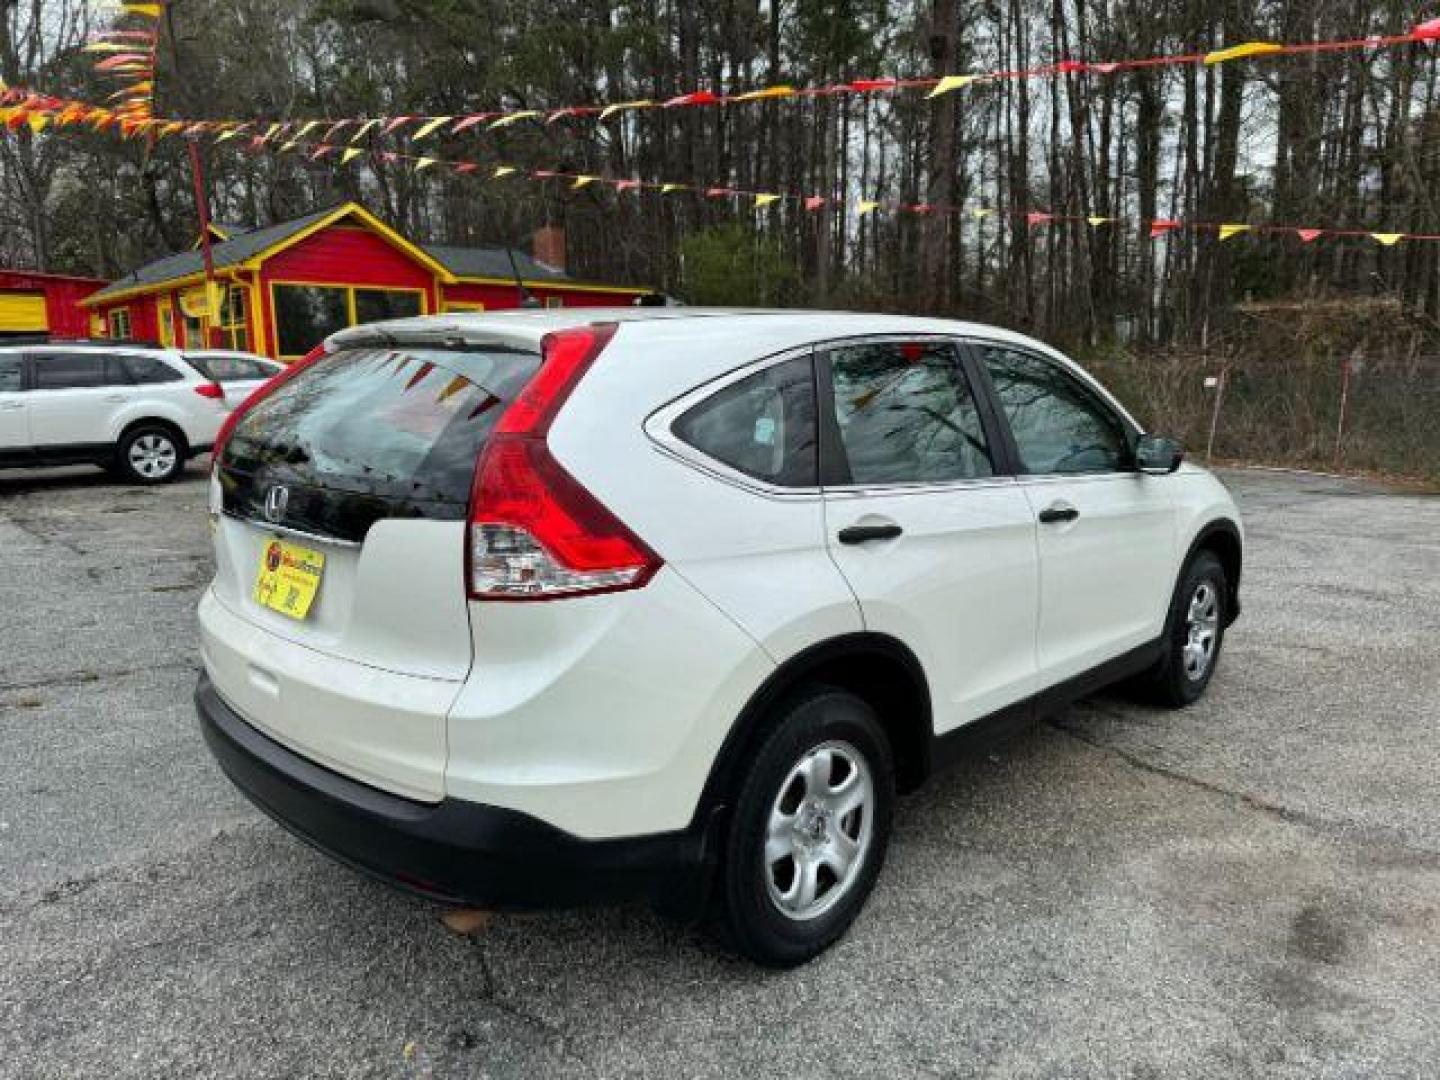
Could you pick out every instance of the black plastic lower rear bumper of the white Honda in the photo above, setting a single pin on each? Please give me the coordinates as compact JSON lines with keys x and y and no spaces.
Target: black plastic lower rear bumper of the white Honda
{"x":454,"y":852}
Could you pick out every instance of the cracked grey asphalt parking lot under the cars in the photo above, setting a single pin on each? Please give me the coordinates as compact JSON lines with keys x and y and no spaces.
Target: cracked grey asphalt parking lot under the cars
{"x":1251,"y":888}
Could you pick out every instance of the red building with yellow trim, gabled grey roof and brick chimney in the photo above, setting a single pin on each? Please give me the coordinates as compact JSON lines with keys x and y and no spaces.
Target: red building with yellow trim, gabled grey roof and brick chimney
{"x":283,"y":290}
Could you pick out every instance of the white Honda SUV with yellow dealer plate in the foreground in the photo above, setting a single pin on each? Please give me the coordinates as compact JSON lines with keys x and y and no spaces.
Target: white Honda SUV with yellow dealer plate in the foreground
{"x":572,"y":607}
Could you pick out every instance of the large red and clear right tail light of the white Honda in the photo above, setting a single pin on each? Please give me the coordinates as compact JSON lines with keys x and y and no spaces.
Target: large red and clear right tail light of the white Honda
{"x":535,"y":532}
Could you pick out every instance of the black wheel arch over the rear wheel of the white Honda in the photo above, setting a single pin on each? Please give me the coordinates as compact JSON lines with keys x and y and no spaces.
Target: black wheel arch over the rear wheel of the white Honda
{"x":876,"y":667}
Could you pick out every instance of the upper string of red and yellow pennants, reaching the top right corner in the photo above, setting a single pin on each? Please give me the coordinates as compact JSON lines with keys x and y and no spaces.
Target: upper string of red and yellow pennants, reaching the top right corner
{"x":139,"y":66}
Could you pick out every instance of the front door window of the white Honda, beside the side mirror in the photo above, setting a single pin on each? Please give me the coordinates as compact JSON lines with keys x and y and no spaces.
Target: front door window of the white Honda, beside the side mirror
{"x":1058,"y":423}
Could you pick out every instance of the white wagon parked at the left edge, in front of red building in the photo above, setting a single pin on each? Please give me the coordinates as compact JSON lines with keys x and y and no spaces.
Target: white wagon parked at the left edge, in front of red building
{"x":138,"y":411}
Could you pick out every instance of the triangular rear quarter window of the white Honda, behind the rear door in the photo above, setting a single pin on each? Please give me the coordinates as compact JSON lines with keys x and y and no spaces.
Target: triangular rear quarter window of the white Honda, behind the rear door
{"x":762,"y":427}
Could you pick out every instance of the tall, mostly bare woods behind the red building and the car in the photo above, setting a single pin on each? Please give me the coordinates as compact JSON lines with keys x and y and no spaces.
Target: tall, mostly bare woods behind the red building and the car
{"x":1344,"y":140}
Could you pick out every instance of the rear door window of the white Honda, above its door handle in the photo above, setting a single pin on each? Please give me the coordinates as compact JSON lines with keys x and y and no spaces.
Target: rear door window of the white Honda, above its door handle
{"x":906,"y":414}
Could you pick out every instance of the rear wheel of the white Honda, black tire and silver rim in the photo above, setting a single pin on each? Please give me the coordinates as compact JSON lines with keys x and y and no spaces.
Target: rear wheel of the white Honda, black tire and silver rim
{"x":822,"y":725}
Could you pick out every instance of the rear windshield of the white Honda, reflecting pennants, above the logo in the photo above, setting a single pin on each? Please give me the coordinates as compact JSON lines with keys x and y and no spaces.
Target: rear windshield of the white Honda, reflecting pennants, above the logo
{"x":371,"y":434}
